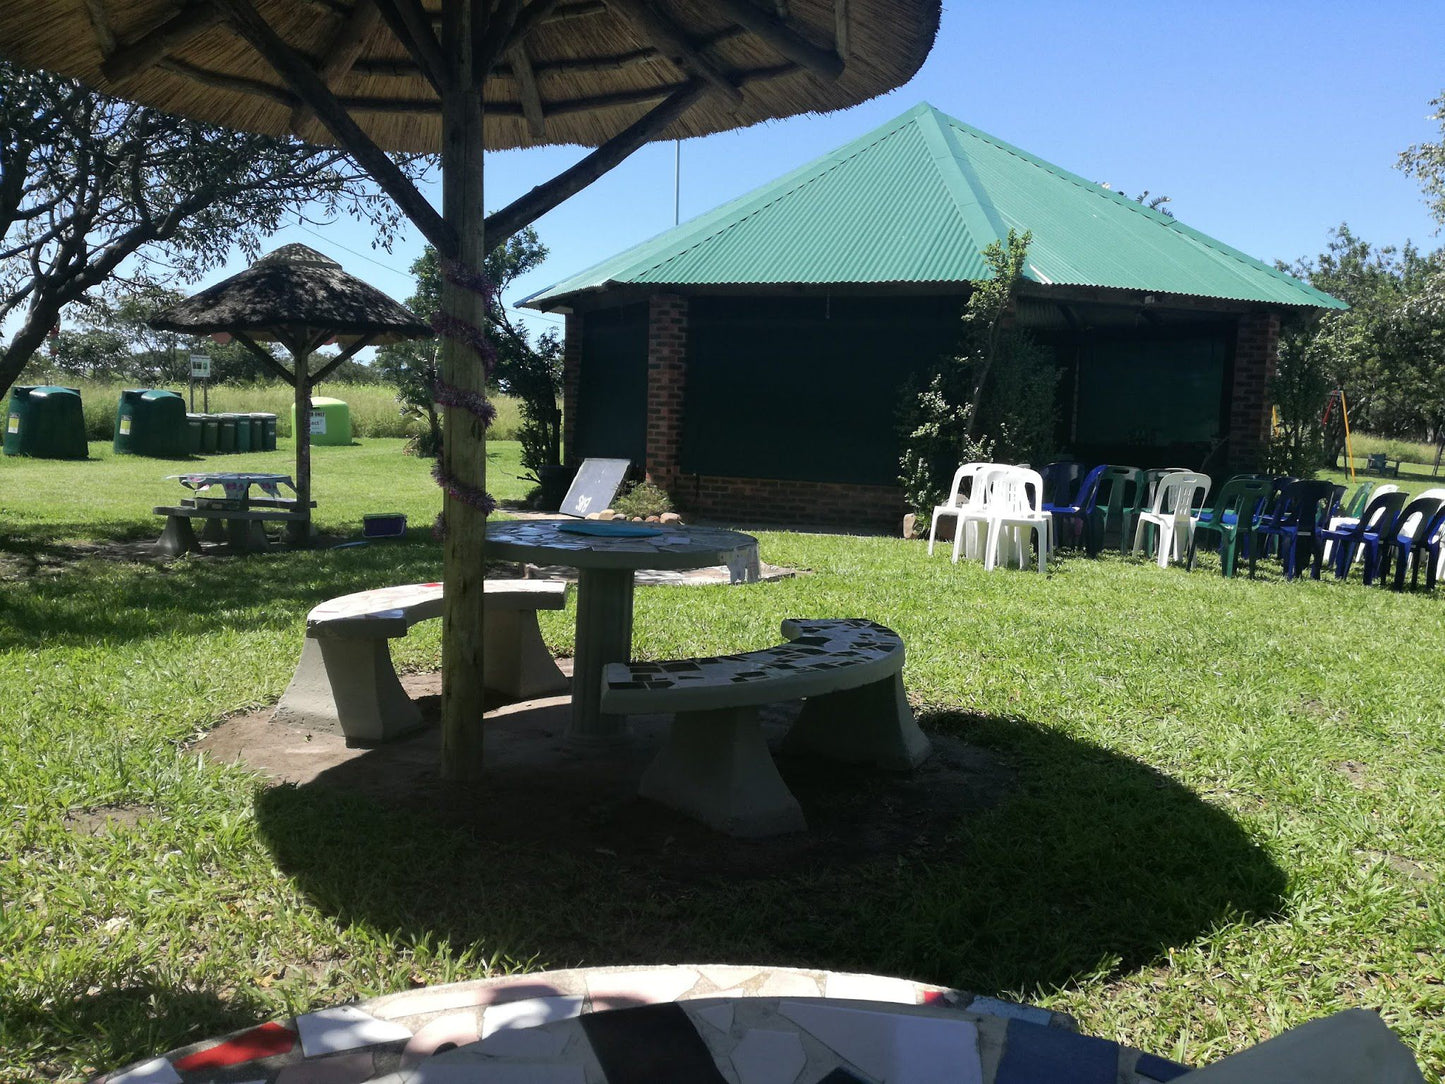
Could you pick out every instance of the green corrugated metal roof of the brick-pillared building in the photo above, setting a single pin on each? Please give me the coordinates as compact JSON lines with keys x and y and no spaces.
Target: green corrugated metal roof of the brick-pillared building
{"x":918,"y":202}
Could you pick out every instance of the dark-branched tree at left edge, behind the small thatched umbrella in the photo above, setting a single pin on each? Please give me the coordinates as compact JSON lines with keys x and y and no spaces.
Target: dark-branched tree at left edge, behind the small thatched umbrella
{"x":90,"y":186}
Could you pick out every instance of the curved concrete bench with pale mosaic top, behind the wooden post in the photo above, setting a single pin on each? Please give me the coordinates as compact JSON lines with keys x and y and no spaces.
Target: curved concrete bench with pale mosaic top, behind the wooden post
{"x":346,"y":681}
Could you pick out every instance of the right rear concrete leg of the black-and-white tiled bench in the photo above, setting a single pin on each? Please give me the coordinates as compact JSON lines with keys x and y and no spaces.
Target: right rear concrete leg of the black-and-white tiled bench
{"x":871,"y":725}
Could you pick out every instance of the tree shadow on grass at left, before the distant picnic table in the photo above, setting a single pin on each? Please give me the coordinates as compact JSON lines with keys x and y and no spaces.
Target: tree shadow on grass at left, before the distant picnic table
{"x":76,"y":595}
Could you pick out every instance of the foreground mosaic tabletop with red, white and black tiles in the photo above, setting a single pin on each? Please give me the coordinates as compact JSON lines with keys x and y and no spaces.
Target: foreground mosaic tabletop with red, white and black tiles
{"x":742,"y":1025}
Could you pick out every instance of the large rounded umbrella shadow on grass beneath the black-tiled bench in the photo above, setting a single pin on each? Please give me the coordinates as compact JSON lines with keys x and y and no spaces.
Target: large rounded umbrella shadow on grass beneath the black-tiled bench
{"x":1070,"y":862}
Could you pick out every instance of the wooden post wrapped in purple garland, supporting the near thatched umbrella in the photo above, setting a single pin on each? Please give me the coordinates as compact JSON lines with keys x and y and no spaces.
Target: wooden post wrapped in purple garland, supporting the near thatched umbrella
{"x":465,"y":446}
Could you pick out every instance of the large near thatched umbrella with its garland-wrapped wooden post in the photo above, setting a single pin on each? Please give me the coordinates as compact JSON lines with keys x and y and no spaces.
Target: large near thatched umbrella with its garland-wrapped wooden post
{"x":460,"y":77}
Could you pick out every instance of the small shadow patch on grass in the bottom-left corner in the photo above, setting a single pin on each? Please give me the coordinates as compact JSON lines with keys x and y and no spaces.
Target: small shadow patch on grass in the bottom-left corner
{"x":113,"y":1025}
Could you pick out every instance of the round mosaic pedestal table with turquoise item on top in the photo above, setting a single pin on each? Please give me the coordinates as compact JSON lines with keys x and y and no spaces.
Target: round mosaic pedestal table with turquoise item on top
{"x":605,"y":593}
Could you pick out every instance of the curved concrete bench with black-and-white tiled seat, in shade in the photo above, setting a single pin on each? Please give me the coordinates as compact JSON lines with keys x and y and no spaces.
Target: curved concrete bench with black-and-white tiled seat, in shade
{"x":716,"y":765}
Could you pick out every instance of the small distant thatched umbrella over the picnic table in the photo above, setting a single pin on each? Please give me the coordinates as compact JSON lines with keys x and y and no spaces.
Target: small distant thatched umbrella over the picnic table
{"x":303,"y":300}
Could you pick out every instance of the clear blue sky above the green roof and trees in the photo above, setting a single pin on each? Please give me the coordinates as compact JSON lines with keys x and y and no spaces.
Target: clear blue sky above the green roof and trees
{"x":1267,"y":124}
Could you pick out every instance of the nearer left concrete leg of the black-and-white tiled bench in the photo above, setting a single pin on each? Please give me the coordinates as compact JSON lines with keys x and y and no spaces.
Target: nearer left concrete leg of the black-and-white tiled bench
{"x":716,"y":768}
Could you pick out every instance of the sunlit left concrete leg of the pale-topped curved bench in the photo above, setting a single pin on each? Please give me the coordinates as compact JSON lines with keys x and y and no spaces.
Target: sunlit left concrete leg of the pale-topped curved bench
{"x":349,"y":686}
